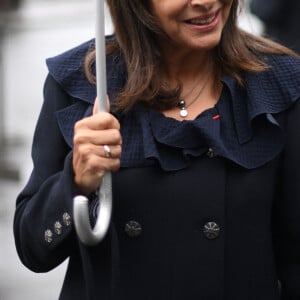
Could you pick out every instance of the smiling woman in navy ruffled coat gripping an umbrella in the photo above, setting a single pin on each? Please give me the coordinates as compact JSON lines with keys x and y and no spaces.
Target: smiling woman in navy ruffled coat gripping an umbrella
{"x":203,"y":141}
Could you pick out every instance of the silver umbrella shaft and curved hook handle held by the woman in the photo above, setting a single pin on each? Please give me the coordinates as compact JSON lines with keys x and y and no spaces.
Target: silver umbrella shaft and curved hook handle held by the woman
{"x":83,"y":228}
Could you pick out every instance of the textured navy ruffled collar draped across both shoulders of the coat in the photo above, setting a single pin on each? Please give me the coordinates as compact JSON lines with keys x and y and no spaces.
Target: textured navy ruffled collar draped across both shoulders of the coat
{"x":246,"y":133}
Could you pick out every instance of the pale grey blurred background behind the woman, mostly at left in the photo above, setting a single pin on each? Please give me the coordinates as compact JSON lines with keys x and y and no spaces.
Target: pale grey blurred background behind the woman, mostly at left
{"x":31,"y":31}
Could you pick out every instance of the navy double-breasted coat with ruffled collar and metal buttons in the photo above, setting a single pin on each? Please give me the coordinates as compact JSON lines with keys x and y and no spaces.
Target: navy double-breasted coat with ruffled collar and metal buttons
{"x":239,"y":171}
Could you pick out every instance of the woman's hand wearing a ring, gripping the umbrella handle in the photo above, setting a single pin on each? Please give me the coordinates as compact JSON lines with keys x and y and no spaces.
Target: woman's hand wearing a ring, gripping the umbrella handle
{"x":91,"y":159}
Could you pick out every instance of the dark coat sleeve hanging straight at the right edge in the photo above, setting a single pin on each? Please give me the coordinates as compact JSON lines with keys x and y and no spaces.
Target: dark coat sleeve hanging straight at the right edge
{"x":287,"y":210}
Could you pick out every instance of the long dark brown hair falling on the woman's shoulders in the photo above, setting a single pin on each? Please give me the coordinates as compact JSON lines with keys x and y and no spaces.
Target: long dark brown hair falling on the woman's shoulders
{"x":136,"y":30}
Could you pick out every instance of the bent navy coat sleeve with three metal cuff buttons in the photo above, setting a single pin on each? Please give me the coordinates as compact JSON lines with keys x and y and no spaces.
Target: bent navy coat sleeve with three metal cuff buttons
{"x":43,"y":226}
